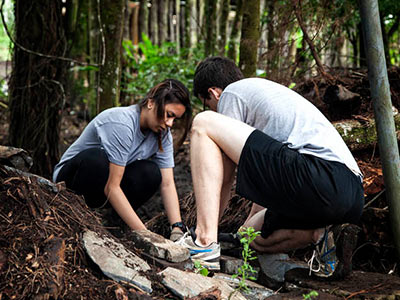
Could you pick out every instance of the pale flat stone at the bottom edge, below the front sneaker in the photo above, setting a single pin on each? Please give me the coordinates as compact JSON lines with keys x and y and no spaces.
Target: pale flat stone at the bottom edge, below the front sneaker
{"x":188,"y":284}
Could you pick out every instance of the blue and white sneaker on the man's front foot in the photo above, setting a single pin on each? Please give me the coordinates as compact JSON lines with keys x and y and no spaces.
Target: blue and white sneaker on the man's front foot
{"x":208,"y":256}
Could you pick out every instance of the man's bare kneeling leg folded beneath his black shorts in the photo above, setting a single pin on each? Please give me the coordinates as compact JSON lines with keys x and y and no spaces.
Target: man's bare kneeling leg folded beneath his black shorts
{"x":282,"y":240}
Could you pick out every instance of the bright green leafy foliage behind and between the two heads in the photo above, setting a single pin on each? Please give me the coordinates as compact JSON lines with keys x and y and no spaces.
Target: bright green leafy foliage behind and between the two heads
{"x":156,"y":63}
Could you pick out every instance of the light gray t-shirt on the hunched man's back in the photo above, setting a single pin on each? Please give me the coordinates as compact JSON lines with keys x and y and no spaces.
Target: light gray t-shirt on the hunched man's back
{"x":287,"y":117}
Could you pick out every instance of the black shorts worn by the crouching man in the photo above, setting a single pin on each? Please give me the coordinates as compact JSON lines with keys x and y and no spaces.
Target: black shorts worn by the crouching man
{"x":301,"y":191}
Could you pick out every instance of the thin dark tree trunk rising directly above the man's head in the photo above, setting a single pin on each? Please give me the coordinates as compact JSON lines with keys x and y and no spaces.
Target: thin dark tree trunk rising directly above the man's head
{"x":210,"y":12}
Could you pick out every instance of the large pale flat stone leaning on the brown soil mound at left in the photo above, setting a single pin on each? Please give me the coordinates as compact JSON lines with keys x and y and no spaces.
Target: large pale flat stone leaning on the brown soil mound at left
{"x":115,"y":261}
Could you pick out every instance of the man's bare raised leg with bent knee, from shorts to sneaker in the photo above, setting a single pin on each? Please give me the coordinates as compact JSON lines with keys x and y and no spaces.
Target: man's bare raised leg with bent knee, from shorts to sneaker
{"x":212,"y":135}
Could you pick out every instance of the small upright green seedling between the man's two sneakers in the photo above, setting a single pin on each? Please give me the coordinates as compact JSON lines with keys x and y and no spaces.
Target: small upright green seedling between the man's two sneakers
{"x":246,"y":271}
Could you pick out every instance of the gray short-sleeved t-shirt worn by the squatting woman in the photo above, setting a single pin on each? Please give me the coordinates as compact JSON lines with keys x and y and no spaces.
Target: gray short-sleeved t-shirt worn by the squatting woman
{"x":117,"y":131}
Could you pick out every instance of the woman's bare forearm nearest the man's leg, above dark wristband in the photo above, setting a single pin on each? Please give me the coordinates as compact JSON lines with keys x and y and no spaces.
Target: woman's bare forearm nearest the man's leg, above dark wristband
{"x":170,"y":196}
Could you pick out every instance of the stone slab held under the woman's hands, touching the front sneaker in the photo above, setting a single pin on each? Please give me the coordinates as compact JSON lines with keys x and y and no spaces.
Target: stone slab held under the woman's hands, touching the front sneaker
{"x":158,"y":246}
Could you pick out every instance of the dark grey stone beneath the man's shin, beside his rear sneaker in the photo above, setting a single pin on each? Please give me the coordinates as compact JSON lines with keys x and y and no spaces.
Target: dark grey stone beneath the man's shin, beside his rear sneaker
{"x":274,"y":266}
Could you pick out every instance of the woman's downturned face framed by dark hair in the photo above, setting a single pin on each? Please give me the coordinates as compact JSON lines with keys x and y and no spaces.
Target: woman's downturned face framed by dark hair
{"x":171,"y":112}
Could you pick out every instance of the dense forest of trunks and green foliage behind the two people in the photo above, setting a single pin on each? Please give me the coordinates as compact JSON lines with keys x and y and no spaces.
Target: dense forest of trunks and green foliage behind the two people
{"x":80,"y":57}
